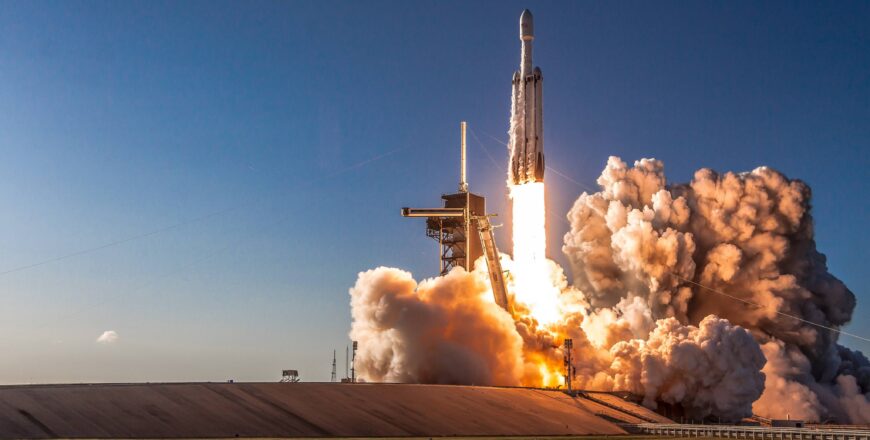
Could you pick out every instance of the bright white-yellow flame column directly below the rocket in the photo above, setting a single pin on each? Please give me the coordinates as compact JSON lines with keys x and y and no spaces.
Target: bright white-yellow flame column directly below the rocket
{"x":531,"y":272}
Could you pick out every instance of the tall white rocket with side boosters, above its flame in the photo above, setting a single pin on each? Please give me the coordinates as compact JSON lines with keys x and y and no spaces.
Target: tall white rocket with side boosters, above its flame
{"x":527,"y":128}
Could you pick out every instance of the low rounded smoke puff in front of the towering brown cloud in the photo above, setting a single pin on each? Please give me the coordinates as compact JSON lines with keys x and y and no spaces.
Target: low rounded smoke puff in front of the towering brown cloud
{"x":712,"y":369}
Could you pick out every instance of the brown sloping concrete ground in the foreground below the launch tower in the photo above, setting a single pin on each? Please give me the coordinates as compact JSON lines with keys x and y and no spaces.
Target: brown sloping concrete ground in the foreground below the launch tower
{"x":208,"y":410}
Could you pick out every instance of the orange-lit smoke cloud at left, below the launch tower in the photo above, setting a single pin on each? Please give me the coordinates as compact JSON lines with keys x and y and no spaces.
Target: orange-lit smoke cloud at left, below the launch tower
{"x":440,"y":331}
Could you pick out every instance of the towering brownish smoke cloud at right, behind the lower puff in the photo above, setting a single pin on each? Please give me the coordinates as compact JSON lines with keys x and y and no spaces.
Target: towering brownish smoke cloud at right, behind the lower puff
{"x":747,"y":235}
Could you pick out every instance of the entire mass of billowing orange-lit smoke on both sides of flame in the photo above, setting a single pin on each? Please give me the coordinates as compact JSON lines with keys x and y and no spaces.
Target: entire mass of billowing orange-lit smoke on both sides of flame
{"x":639,"y":251}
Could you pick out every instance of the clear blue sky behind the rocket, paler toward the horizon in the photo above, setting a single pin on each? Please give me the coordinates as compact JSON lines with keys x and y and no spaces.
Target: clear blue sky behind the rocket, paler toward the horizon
{"x":120,"y":118}
